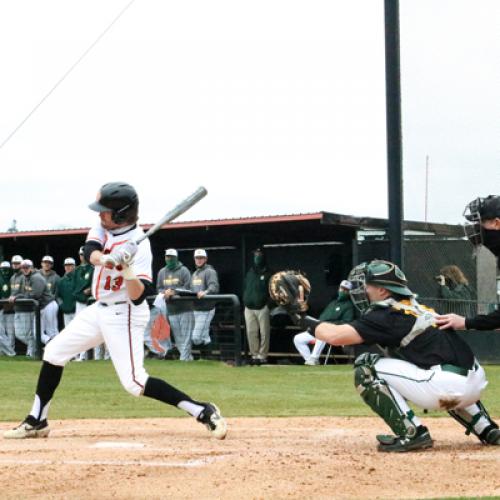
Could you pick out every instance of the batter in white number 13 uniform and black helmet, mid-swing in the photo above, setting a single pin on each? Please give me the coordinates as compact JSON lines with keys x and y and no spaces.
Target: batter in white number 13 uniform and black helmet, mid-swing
{"x":122,"y":280}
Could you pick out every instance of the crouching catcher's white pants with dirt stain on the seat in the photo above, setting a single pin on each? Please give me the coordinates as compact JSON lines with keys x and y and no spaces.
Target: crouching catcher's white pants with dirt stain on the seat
{"x":432,"y":389}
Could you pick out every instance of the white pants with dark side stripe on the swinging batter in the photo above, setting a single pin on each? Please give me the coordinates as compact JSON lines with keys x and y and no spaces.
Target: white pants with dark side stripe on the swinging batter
{"x":120,"y":326}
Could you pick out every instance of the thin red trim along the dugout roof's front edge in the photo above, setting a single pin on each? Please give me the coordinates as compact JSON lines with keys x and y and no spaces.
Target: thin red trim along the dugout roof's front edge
{"x":178,"y":225}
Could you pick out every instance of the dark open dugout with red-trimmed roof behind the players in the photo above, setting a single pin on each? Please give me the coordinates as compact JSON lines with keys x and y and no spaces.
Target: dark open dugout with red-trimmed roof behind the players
{"x":324,"y":245}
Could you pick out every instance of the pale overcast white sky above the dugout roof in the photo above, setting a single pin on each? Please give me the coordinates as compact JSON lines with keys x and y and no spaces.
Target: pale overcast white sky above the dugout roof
{"x":275,"y":106}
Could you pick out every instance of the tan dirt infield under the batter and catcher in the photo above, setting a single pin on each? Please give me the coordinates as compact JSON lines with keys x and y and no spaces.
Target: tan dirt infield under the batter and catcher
{"x":261,"y":458}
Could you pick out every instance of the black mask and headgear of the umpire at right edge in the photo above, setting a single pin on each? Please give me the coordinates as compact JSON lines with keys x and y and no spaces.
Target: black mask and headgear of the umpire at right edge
{"x":475,"y":213}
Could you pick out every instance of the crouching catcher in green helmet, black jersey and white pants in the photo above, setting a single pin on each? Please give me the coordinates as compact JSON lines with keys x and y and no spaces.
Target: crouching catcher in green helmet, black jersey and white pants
{"x":433,"y":369}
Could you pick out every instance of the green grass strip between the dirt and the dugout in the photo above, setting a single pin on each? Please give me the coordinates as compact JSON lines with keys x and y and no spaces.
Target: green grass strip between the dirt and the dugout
{"x":92,"y":390}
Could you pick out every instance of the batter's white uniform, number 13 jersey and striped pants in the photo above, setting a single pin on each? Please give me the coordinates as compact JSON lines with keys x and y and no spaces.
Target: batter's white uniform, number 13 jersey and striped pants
{"x":113,"y":318}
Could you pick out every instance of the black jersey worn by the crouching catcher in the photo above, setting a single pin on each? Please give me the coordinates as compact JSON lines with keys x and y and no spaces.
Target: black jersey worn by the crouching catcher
{"x":388,"y":326}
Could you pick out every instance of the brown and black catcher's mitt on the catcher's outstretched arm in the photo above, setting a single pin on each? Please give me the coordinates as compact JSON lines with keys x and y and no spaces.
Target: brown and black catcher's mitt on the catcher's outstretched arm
{"x":291,"y":290}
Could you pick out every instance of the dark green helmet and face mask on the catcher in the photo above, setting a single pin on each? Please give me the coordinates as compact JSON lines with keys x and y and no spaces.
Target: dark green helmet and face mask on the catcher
{"x":381,"y":273}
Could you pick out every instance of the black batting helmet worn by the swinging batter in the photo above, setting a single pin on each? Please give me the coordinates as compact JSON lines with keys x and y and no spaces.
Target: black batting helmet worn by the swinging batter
{"x":119,"y":198}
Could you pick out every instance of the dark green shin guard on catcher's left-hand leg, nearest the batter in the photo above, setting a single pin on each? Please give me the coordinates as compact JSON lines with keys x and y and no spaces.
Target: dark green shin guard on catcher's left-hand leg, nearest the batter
{"x":378,"y":396}
